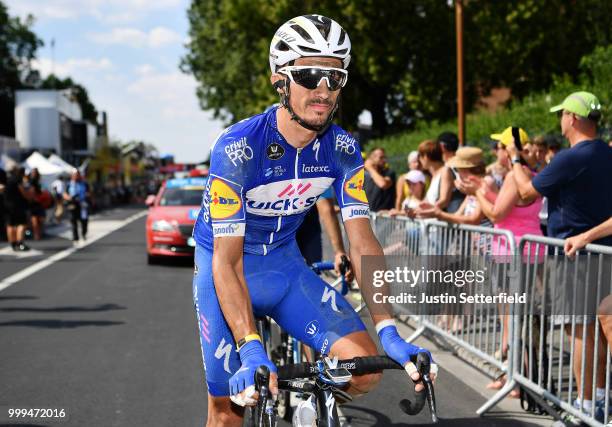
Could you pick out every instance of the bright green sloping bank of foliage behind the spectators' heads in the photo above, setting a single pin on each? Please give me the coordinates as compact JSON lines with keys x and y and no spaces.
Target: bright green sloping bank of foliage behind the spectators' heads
{"x":531,"y":113}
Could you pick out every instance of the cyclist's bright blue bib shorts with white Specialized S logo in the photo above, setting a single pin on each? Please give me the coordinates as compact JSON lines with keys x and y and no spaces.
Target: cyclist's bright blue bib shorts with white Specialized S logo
{"x":282,"y":287}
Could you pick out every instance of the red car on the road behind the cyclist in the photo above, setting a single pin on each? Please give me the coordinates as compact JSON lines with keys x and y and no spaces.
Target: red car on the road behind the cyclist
{"x":172,"y":215}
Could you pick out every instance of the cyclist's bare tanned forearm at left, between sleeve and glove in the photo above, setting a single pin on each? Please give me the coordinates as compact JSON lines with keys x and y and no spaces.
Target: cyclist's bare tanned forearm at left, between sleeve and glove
{"x":231,"y":288}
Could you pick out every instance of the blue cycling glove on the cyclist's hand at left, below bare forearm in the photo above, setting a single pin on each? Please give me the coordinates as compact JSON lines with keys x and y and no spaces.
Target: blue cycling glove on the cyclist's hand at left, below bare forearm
{"x":252,"y":356}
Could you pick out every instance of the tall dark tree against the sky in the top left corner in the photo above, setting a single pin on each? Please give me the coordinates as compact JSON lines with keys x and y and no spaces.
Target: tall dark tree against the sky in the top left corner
{"x":18,"y":45}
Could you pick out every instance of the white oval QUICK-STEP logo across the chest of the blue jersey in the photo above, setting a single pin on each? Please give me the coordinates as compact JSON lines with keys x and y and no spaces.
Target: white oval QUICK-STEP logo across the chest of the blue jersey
{"x":286,"y":197}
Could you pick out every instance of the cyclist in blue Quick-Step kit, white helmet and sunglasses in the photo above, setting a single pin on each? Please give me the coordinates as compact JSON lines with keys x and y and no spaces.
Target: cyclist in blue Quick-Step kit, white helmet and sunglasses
{"x":266,"y":172}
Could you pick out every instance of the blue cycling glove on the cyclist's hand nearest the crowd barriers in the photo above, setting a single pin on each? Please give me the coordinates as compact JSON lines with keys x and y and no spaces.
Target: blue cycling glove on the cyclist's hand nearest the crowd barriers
{"x":399,"y":350}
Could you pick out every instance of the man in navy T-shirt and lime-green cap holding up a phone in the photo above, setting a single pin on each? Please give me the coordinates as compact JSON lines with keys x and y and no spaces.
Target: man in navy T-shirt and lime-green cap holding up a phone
{"x":577,"y":185}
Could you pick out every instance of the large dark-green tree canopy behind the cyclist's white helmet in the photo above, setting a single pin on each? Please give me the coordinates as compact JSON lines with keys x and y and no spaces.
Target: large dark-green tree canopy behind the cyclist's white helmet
{"x":403,"y":65}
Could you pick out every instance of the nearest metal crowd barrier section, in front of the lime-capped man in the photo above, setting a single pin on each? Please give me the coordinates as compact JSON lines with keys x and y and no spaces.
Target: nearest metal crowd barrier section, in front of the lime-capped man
{"x":563,"y":353}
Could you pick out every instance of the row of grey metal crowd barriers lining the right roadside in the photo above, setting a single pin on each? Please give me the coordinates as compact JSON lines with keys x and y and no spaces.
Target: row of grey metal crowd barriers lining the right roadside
{"x":536,"y":344}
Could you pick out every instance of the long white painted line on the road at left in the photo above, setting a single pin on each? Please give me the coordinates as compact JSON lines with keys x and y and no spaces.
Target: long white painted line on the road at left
{"x":99,"y":229}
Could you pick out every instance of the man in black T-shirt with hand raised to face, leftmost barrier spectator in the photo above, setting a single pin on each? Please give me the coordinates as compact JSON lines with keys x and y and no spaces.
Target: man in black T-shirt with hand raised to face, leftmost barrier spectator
{"x":379,"y":181}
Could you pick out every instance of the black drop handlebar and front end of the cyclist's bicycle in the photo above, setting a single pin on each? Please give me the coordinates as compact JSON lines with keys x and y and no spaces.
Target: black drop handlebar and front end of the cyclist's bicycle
{"x":323,"y":379}
